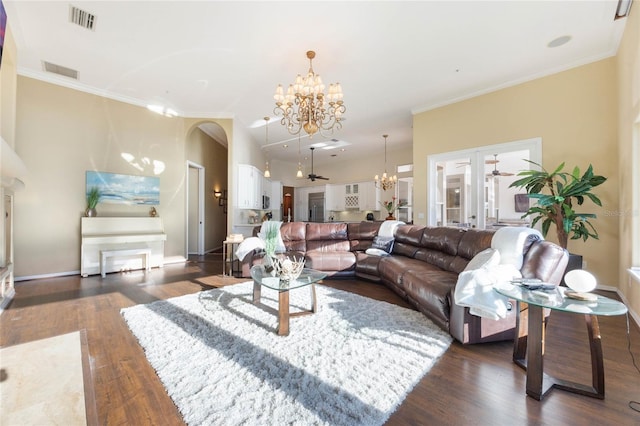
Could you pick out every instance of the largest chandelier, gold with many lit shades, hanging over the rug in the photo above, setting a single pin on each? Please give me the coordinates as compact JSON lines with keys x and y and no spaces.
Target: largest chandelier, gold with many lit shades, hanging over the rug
{"x":305,"y":106}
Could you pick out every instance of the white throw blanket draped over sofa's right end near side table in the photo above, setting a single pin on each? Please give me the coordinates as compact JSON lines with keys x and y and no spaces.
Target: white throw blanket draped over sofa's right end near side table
{"x":474,"y":288}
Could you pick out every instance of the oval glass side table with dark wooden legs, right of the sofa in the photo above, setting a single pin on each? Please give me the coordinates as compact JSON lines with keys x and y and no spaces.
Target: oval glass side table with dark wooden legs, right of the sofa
{"x":528,"y":350}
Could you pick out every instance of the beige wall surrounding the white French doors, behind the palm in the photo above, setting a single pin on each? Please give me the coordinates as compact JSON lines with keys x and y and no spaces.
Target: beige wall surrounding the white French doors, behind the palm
{"x":575,"y":114}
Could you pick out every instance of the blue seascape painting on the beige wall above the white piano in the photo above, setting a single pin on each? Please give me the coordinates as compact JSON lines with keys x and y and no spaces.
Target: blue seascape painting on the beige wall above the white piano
{"x":125,"y":189}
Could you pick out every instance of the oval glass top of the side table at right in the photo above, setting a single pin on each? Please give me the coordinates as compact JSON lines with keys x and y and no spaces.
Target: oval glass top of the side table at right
{"x":557,"y":300}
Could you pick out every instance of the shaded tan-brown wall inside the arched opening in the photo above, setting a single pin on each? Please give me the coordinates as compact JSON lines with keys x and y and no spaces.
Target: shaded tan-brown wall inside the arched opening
{"x":210,"y":154}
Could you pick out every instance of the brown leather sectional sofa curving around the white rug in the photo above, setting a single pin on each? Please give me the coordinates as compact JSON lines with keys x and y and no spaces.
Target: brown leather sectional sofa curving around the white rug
{"x":423,"y":267}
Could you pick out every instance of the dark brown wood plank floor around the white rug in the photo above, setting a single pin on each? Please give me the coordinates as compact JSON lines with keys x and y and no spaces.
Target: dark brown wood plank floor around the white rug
{"x":471,"y":385}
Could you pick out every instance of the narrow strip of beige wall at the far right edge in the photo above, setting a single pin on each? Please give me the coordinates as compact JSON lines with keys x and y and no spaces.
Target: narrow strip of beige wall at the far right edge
{"x":628,"y":63}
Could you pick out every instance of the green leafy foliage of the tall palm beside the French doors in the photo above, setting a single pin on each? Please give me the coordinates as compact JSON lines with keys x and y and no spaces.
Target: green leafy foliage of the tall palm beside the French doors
{"x":558,"y":194}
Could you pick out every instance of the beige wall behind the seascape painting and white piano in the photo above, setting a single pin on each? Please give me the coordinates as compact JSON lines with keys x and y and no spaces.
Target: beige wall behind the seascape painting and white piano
{"x":60,"y":134}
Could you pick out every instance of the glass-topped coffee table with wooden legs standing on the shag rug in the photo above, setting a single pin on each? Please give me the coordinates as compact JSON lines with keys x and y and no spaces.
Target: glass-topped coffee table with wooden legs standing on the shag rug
{"x":308,"y":278}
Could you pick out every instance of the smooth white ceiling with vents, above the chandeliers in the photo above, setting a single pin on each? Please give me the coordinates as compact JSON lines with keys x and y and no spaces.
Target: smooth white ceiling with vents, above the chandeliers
{"x":224,"y":59}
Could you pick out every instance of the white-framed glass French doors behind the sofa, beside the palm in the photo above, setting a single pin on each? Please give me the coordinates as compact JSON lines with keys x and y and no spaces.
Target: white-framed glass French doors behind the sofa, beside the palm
{"x":470,"y":188}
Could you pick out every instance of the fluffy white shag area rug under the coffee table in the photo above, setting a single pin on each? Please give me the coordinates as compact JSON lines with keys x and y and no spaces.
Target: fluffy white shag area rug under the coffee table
{"x":222,"y":363}
